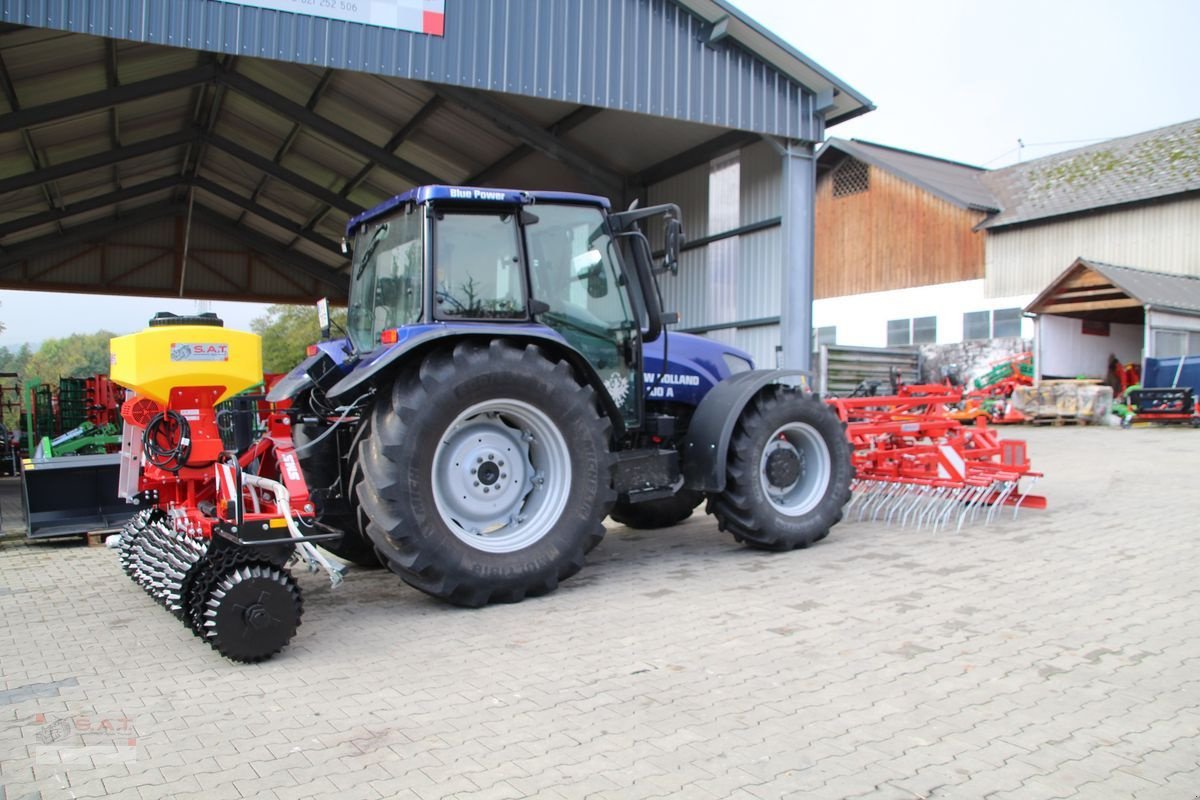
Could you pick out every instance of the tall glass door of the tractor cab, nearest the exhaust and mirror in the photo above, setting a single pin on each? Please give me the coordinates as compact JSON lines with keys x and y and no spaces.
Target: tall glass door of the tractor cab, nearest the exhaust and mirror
{"x":575,"y":270}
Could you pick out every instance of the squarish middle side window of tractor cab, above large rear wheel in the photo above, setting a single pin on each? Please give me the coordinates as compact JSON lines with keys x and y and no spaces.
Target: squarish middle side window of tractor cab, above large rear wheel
{"x":477,"y":267}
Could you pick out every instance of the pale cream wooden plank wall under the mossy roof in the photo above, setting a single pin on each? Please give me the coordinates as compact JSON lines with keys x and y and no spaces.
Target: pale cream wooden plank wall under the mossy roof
{"x":1163,"y":237}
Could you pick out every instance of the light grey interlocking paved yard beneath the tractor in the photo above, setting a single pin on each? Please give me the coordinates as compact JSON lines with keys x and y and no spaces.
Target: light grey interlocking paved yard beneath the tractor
{"x":1055,"y":657}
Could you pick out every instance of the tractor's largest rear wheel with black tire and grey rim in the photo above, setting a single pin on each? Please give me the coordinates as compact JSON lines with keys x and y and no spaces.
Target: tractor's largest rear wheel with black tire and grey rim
{"x":487,"y":474}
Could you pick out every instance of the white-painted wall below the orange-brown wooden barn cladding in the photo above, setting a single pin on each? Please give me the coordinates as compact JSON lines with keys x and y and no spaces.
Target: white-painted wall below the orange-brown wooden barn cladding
{"x":863,"y":320}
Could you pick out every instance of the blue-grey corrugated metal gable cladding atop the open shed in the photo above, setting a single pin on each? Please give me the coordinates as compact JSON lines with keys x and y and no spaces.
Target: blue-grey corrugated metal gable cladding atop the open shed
{"x":649,"y":57}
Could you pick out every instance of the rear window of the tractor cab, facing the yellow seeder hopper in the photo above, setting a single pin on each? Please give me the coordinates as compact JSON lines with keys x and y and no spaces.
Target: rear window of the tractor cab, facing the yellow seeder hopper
{"x":386,"y":279}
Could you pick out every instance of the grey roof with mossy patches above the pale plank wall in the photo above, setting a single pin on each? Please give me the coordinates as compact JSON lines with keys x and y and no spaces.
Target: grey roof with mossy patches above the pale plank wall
{"x":1136,"y":169}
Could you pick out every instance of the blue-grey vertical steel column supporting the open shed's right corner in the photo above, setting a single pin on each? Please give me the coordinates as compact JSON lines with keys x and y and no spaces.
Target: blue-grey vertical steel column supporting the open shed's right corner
{"x":799,"y":204}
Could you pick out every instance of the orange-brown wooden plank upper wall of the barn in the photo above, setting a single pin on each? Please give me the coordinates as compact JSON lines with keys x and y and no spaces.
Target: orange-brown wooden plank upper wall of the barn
{"x":895,"y":236}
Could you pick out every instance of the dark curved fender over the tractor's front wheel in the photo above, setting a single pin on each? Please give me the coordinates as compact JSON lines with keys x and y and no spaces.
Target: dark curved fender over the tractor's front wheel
{"x":706,"y":448}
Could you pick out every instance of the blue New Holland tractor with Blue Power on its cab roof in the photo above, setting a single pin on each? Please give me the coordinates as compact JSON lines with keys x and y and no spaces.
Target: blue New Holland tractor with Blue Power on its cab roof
{"x":506,"y":381}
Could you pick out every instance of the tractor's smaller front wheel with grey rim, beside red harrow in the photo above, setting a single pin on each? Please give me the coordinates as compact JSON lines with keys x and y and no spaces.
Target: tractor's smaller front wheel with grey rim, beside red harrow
{"x":788,"y":476}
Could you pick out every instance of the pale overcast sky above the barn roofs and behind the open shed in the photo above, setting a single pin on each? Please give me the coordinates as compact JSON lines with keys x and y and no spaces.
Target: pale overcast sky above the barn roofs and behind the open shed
{"x":961,"y":80}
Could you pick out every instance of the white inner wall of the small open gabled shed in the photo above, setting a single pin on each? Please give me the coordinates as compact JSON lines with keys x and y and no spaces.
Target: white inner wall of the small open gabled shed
{"x":1065,"y":352}
